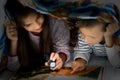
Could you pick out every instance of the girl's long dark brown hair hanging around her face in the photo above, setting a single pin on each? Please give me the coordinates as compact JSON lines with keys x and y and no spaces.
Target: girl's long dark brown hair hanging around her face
{"x":25,"y":48}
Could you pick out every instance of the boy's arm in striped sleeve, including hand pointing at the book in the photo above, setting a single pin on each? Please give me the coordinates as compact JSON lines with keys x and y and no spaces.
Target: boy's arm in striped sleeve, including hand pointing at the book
{"x":81,"y":55}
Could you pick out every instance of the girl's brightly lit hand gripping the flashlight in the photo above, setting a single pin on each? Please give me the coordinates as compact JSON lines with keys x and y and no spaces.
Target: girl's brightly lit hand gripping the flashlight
{"x":57,"y":59}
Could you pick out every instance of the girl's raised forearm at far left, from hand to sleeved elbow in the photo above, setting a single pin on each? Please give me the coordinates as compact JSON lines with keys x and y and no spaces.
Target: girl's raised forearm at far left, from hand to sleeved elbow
{"x":11,"y":33}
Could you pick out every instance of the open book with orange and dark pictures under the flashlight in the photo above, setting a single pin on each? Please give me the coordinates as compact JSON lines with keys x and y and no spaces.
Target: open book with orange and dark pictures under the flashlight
{"x":90,"y":73}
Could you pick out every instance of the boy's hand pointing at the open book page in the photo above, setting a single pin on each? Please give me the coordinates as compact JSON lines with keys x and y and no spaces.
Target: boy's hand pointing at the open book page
{"x":78,"y":65}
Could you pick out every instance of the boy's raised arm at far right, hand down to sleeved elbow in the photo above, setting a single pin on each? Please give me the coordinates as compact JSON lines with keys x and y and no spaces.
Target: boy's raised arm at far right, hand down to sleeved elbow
{"x":112,"y":51}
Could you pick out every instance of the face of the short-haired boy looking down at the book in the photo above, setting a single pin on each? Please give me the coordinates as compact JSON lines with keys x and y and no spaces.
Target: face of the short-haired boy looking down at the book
{"x":92,"y":35}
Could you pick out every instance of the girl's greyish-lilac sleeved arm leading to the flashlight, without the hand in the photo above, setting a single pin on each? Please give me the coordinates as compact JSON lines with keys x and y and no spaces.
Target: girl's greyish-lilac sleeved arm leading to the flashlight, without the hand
{"x":61,"y":38}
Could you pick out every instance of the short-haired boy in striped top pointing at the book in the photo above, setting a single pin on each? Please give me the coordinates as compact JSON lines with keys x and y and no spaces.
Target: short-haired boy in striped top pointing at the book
{"x":96,"y":37}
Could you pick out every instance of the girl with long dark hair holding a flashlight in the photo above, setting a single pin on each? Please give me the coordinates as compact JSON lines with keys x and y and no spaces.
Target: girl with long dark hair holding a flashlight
{"x":38,"y":38}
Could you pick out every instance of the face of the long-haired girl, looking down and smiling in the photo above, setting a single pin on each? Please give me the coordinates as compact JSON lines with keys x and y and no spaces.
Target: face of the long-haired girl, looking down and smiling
{"x":33,"y":23}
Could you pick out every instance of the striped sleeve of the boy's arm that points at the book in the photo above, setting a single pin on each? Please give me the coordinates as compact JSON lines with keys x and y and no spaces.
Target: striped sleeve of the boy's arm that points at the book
{"x":82,"y":50}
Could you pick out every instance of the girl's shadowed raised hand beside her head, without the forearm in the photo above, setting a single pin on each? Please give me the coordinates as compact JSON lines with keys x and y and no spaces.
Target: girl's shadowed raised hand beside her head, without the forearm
{"x":11,"y":31}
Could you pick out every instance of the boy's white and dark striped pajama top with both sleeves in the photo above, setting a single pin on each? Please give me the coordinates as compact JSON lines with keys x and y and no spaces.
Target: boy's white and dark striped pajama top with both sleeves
{"x":83,"y":50}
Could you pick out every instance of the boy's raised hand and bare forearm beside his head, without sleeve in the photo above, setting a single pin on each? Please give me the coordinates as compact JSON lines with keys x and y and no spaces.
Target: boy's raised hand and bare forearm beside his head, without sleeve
{"x":110,"y":31}
